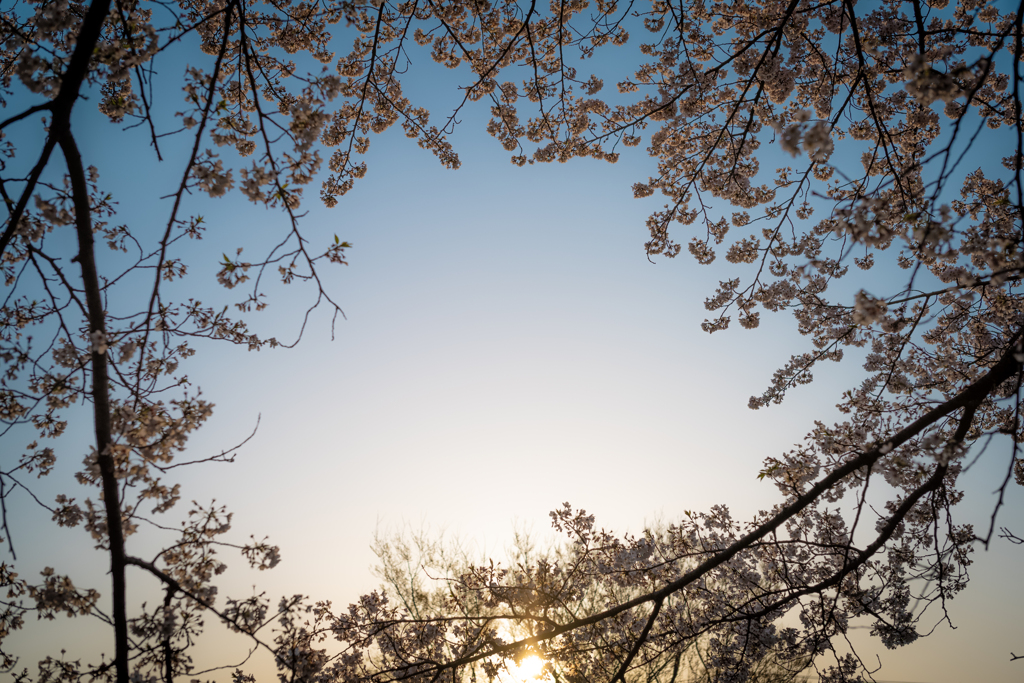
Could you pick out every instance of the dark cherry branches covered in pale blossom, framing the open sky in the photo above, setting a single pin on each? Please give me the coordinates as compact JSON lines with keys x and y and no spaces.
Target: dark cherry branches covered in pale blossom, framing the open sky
{"x":882,"y":109}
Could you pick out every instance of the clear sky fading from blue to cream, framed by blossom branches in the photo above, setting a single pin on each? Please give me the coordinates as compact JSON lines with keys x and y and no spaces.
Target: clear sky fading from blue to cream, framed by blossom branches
{"x":507,"y":347}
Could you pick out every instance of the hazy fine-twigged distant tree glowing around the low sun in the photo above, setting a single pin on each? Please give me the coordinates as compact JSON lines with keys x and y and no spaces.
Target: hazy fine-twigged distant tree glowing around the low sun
{"x":433,"y":581}
